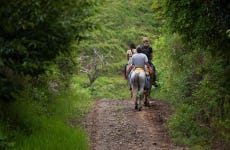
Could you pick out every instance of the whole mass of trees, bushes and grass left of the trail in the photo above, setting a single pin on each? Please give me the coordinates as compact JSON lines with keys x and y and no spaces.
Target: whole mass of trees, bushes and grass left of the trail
{"x":37,"y":63}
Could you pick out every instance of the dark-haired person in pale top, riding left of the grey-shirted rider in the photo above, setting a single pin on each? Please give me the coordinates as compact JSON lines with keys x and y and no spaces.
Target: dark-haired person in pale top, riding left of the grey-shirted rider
{"x":129,"y":55}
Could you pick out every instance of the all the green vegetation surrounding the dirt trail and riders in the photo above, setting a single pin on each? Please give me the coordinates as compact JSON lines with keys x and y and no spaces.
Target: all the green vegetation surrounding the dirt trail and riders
{"x":56,"y":57}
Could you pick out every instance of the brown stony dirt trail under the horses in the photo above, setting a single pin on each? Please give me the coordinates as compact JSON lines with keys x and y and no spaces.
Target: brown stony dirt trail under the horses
{"x":115,"y":125}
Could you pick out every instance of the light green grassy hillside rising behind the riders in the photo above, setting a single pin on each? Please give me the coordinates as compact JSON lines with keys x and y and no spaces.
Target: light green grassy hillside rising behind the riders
{"x":120,"y":24}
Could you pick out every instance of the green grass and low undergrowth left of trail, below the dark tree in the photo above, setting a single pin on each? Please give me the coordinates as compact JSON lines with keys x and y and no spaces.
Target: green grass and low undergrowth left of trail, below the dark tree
{"x":40,"y":120}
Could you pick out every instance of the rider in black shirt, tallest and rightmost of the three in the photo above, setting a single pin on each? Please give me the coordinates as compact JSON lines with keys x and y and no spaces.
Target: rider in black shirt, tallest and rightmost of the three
{"x":148,"y":51}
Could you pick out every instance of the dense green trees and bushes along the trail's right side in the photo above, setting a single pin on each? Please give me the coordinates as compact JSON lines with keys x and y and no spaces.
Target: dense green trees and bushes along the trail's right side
{"x":194,"y":75}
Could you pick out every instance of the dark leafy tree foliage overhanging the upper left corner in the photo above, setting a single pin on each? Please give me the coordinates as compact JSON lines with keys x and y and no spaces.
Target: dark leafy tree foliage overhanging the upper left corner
{"x":33,"y":33}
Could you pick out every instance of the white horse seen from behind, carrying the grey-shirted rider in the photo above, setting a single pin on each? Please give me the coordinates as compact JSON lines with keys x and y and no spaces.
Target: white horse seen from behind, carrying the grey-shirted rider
{"x":137,"y":83}
